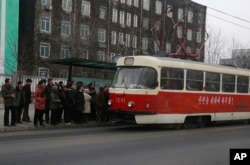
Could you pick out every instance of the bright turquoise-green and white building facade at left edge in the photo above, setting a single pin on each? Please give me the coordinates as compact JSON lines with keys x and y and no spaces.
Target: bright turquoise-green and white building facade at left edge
{"x":9,"y":13}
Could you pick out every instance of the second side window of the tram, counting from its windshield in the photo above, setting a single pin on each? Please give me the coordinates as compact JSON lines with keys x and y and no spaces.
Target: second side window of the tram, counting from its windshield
{"x":194,"y":80}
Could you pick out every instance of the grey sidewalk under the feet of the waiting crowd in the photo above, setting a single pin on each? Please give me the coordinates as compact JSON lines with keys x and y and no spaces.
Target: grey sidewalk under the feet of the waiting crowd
{"x":25,"y":126}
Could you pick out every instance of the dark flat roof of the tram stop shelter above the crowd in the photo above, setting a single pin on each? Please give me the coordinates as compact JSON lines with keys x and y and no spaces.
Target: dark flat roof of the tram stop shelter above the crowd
{"x":79,"y":62}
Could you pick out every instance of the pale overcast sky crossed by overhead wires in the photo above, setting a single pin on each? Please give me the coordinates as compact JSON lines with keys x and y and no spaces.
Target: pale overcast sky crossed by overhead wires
{"x":239,"y":8}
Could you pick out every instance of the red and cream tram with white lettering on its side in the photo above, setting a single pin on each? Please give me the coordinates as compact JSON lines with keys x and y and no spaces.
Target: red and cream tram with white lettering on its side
{"x":160,"y":90}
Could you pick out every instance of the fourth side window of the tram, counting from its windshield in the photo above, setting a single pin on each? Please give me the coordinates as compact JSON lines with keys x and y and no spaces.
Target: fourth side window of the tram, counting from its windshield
{"x":228,"y":83}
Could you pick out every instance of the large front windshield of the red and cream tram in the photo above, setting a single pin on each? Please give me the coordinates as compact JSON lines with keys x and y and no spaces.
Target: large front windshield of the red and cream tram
{"x":135,"y":77}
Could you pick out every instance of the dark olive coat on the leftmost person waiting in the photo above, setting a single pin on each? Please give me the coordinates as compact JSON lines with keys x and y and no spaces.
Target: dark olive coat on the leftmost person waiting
{"x":7,"y":92}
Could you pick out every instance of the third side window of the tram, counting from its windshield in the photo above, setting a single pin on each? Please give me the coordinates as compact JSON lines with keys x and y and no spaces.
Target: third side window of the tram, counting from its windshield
{"x":212,"y":82}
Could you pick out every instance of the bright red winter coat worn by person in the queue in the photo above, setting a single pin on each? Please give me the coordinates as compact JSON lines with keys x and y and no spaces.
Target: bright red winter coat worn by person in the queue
{"x":40,"y":98}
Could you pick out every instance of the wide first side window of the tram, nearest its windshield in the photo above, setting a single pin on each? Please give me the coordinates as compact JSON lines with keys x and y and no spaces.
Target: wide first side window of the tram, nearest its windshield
{"x":172,"y":78}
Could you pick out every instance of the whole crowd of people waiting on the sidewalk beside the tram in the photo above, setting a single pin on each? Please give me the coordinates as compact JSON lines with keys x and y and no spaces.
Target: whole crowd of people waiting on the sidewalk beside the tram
{"x":55,"y":103}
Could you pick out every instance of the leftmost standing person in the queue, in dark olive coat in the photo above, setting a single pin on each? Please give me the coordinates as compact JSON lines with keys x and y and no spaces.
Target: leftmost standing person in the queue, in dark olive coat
{"x":8,"y":93}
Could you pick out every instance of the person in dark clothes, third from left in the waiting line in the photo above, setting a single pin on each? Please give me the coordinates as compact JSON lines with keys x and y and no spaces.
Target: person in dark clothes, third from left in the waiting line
{"x":28,"y":100}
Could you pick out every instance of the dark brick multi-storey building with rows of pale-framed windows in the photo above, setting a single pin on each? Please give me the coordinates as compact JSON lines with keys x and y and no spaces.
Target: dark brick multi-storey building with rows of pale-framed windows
{"x":106,"y":30}
